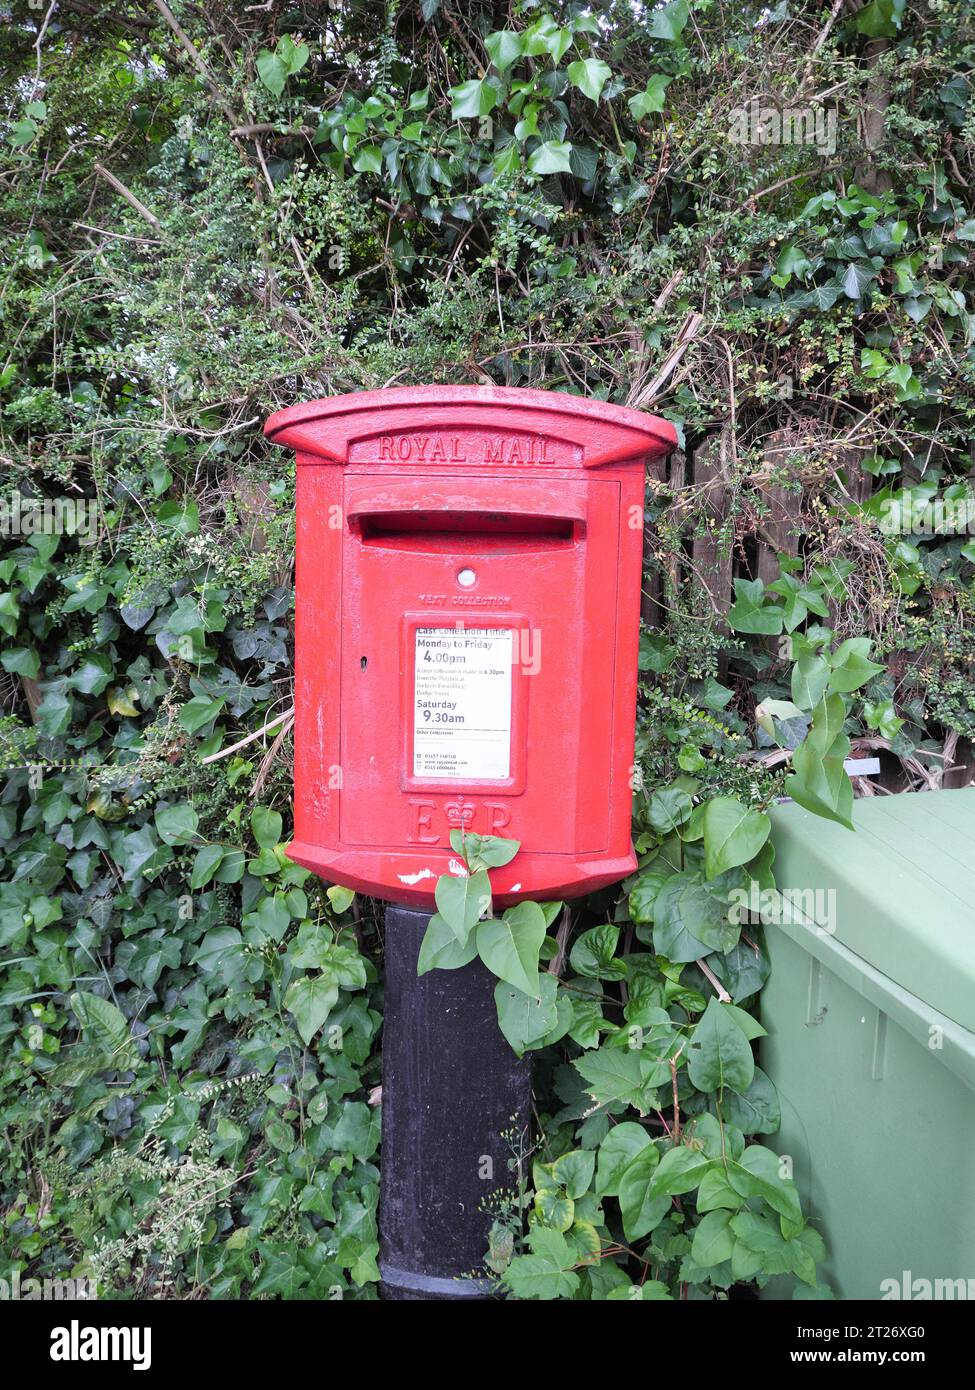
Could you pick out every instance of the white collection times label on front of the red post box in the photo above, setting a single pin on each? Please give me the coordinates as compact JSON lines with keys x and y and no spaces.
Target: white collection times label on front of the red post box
{"x":462,"y":703}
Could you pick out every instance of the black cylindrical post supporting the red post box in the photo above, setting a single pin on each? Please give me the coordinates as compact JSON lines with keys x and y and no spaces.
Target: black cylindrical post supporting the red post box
{"x":451,"y":1089}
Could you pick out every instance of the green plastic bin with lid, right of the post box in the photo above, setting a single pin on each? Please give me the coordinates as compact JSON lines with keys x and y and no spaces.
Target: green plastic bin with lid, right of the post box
{"x":871,"y":1020}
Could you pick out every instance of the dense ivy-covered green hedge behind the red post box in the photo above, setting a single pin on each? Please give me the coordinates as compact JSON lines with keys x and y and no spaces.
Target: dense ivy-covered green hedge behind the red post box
{"x":216,"y":211}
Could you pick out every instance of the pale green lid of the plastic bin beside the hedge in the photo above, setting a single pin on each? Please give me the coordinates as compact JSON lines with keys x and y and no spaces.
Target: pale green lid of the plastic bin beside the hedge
{"x":899,"y":892}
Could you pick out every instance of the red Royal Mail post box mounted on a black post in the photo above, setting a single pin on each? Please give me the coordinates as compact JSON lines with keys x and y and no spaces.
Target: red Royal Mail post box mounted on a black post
{"x":469,"y":569}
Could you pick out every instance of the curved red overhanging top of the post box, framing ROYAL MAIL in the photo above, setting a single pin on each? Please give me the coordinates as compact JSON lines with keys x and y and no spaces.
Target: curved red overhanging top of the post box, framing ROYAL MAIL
{"x":602,"y":433}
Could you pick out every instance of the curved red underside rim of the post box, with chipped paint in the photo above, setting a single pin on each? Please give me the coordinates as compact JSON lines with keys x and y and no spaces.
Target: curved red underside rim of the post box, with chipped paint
{"x":540,"y":878}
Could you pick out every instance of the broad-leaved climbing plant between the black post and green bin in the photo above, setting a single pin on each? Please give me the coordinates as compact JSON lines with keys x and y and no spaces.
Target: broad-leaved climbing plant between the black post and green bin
{"x":652,"y":1013}
